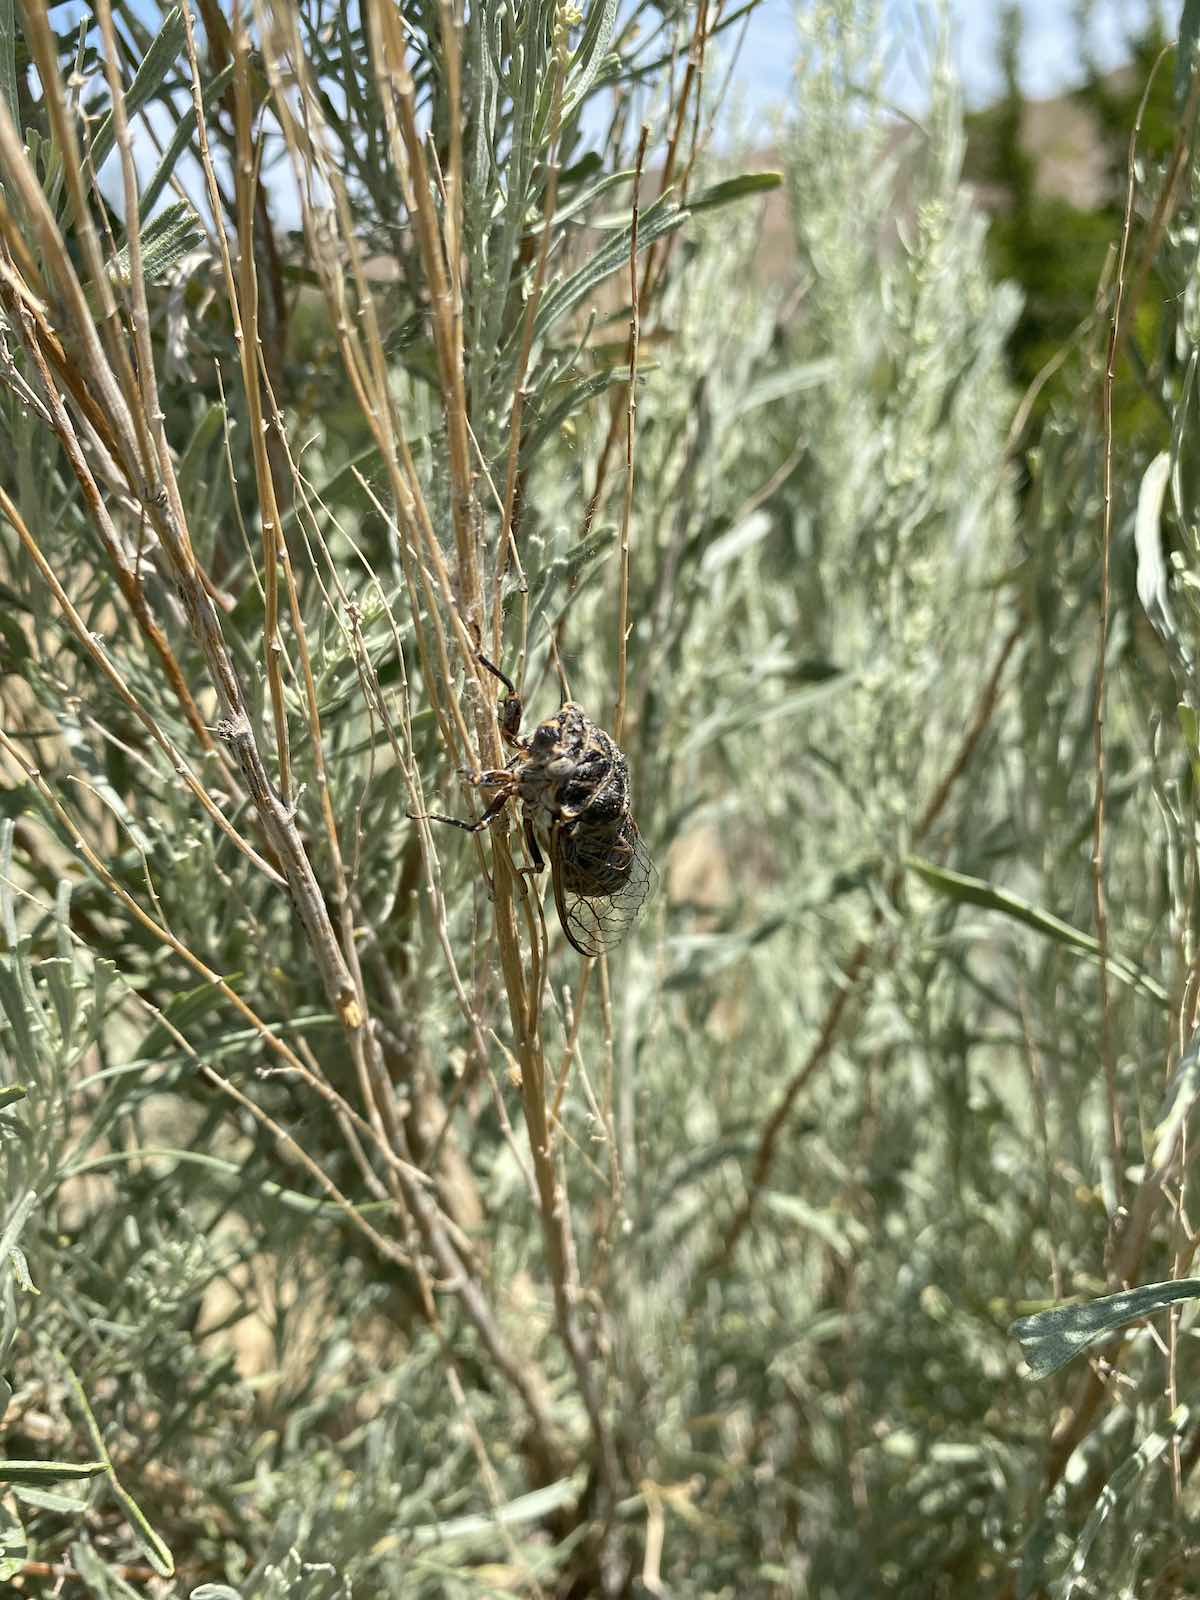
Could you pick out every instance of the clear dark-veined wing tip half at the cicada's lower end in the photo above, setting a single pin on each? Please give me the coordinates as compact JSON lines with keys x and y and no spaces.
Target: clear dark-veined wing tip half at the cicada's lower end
{"x":601,"y":897}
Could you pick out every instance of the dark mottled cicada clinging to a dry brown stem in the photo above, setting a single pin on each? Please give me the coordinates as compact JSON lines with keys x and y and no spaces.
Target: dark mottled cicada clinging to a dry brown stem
{"x":574,"y":788}
